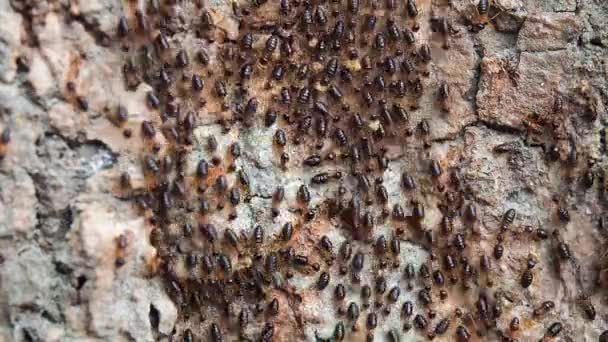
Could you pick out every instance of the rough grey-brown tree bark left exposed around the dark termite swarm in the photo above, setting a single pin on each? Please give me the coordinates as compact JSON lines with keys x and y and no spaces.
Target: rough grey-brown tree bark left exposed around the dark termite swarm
{"x":525,"y":130}
